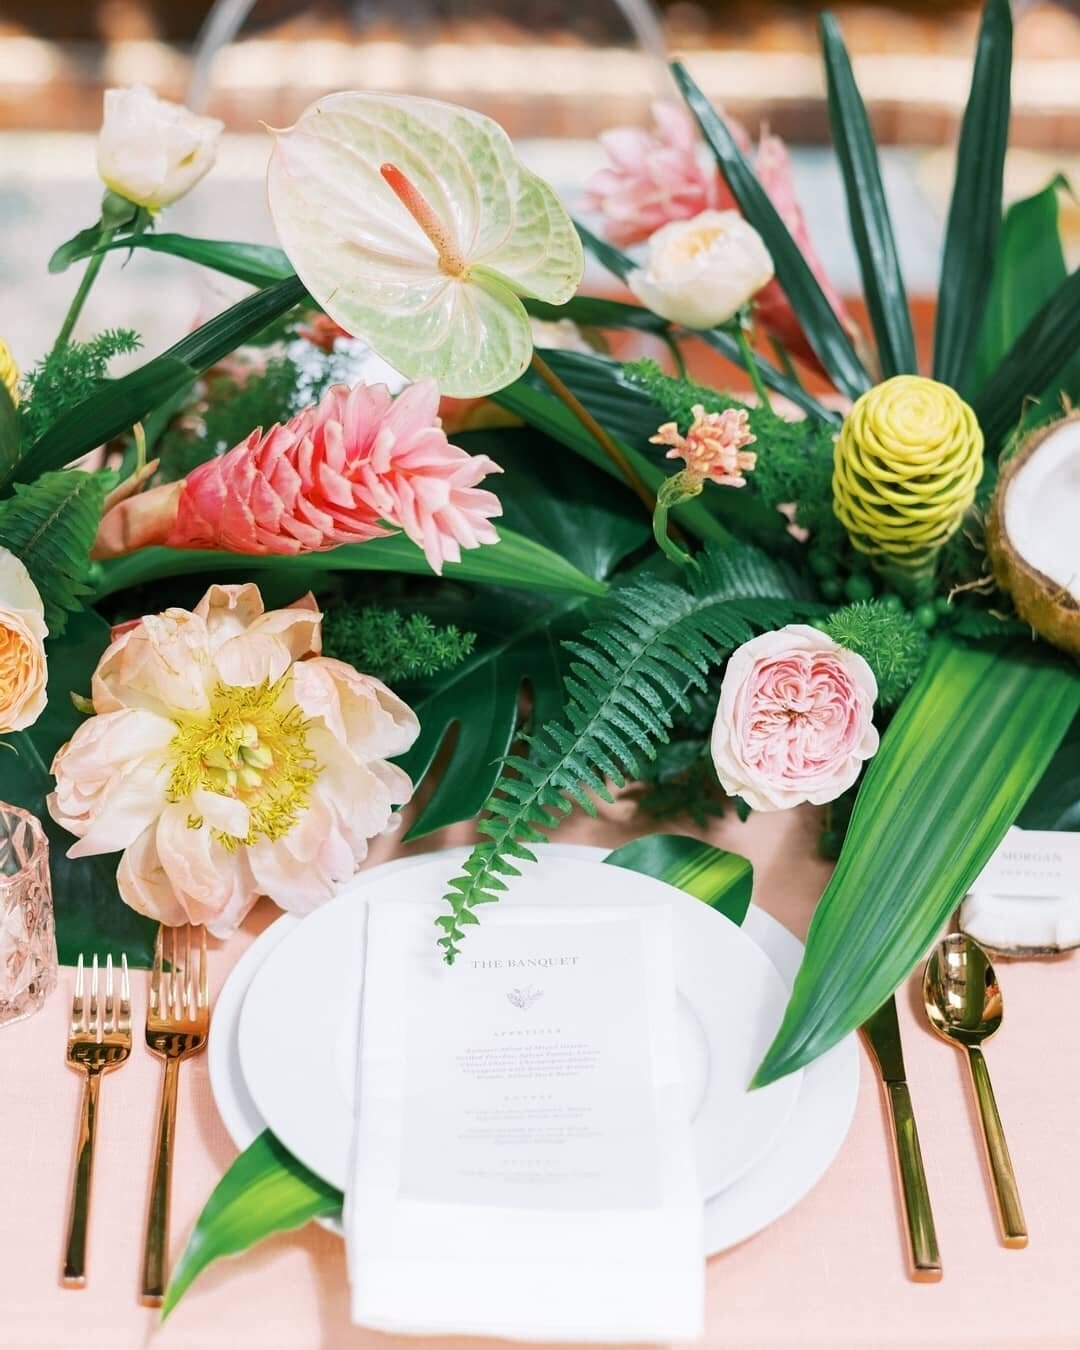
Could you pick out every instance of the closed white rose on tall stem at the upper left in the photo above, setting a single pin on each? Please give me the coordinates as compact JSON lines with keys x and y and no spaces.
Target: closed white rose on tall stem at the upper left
{"x":153,"y":152}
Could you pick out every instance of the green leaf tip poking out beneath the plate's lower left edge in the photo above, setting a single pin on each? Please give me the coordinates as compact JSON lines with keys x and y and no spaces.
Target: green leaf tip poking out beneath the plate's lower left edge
{"x":265,"y":1191}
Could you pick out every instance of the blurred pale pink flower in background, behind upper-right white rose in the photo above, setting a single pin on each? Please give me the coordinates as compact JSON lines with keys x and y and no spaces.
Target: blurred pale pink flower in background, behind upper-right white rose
{"x":654,"y":178}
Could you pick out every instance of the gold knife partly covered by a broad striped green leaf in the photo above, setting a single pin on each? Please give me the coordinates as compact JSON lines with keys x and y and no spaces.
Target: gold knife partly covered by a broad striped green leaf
{"x":884,"y":1037}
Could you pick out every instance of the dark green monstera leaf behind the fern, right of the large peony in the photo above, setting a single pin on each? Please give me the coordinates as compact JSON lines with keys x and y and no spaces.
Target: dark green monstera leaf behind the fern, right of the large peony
{"x":572,"y":508}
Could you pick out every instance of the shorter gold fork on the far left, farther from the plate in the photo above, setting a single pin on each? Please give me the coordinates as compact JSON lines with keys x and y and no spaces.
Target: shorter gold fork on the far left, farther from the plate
{"x":97,"y":1044}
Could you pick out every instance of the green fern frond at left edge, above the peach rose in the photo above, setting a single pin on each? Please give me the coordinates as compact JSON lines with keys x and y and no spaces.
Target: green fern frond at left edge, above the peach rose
{"x":51,"y":526}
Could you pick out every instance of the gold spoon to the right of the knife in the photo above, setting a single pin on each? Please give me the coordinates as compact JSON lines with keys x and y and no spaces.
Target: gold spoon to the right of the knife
{"x":965,"y":1006}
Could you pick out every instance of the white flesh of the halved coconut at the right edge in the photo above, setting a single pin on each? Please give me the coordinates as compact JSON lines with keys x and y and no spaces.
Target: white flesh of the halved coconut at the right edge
{"x":1043,"y":508}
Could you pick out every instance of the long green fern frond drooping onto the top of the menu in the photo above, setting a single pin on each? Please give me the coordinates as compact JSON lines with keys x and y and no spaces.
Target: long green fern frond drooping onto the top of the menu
{"x":653,"y":643}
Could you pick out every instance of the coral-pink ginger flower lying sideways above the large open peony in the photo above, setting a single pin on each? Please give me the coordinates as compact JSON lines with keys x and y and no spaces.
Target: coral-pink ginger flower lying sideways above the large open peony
{"x":341,"y":472}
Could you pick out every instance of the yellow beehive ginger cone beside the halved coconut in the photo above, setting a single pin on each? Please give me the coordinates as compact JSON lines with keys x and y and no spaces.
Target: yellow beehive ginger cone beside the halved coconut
{"x":908,"y":462}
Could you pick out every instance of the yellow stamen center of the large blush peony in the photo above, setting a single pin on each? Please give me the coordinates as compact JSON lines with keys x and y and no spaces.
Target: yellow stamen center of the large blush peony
{"x":252,"y":749}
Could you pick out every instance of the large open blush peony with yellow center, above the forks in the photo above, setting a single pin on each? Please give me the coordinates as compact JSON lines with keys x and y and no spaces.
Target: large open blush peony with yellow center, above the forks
{"x":230,"y":761}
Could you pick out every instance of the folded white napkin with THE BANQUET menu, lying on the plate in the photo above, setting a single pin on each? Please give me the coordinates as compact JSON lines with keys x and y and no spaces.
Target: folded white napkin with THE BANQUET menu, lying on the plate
{"x":523,"y":1163}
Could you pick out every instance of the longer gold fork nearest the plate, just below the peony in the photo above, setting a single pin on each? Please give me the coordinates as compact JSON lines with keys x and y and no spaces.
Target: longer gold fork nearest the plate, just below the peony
{"x":178,"y":1024}
